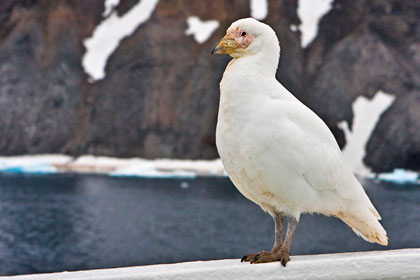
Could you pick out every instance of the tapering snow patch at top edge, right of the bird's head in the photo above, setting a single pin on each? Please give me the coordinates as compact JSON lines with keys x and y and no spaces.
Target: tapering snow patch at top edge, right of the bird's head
{"x":310,"y":12}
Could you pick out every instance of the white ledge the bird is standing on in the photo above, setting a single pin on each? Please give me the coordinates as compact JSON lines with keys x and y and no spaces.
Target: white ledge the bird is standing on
{"x":393,"y":264}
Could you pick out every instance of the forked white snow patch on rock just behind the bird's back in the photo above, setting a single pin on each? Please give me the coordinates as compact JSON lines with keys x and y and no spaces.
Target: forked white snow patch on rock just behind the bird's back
{"x":366,"y":115}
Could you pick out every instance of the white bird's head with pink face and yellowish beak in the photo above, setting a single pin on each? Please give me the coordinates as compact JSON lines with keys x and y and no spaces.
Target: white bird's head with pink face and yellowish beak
{"x":247,"y":36}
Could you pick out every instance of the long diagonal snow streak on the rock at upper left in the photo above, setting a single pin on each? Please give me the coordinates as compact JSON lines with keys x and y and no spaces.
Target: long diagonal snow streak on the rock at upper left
{"x":108,"y":34}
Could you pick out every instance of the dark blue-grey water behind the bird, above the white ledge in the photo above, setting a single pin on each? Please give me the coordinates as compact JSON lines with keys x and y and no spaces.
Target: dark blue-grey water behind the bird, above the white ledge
{"x":73,"y":222}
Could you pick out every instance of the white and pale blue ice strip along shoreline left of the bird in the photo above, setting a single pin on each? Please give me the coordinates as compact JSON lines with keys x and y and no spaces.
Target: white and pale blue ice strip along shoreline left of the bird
{"x":167,"y":168}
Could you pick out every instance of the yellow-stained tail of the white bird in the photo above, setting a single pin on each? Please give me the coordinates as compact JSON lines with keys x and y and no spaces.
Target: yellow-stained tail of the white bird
{"x":365,"y":225}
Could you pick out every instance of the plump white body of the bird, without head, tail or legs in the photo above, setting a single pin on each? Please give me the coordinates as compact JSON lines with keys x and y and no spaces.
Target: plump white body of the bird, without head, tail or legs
{"x":274,"y":148}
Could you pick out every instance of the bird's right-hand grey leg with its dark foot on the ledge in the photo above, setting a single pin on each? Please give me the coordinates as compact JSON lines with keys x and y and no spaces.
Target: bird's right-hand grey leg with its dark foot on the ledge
{"x":282,"y":254}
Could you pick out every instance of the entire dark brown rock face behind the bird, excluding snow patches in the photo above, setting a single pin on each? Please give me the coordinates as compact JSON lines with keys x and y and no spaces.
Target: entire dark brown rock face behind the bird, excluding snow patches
{"x":160,"y":94}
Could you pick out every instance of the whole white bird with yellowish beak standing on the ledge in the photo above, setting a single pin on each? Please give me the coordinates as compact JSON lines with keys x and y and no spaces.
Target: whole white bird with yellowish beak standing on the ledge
{"x":278,"y":152}
